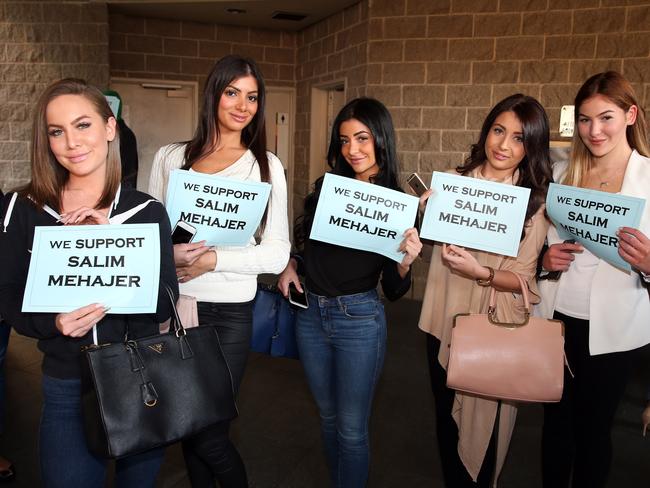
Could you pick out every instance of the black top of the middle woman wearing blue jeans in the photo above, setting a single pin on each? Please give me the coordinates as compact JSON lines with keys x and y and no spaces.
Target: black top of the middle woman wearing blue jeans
{"x":333,"y":270}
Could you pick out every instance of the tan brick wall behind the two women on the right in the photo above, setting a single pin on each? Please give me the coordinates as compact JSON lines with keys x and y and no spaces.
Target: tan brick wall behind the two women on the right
{"x":440,"y":65}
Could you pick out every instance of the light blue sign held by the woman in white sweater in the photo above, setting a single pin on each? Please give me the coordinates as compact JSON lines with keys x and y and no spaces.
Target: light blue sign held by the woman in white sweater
{"x":224,"y":211}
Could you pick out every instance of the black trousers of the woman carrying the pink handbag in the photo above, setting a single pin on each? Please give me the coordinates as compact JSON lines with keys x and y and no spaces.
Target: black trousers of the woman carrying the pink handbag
{"x":453,"y":470}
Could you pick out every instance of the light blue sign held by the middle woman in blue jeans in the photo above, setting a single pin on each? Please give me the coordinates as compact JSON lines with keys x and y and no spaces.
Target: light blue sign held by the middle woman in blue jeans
{"x":363,"y":216}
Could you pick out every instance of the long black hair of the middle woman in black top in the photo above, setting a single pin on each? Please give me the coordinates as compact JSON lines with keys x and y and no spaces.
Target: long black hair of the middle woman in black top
{"x":374,"y":115}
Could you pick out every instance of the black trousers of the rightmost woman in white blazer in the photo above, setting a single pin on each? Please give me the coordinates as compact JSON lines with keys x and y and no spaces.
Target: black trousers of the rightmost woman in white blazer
{"x":577,"y":430}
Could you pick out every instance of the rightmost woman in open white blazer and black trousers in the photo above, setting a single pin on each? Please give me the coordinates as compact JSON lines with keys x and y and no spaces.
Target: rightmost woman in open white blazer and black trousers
{"x":606,"y":310}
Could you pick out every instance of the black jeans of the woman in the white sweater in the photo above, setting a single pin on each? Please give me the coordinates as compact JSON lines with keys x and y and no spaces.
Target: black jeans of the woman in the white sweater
{"x":210,"y":453}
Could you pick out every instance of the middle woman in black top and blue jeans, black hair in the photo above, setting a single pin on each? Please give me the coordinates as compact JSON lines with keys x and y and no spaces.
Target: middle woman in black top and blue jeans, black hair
{"x":342,"y":335}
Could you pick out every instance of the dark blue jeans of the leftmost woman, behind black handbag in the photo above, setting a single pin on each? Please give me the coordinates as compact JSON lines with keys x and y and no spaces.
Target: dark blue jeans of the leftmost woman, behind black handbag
{"x":65,"y":459}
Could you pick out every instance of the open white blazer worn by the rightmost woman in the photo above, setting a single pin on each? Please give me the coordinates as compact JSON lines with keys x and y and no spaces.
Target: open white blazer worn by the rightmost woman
{"x":619,"y":308}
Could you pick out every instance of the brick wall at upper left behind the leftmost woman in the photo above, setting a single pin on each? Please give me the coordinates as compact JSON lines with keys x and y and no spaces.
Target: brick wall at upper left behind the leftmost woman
{"x":42,"y":41}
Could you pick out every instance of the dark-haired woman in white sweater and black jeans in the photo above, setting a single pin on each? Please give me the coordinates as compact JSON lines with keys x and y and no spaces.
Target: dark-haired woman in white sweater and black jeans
{"x":229,"y":142}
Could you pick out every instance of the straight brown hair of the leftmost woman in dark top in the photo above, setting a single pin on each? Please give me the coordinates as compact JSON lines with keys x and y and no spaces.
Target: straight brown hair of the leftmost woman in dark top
{"x":49,"y":177}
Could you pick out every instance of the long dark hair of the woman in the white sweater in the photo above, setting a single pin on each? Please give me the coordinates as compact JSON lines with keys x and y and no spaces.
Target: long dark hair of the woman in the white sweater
{"x":224,"y":72}
